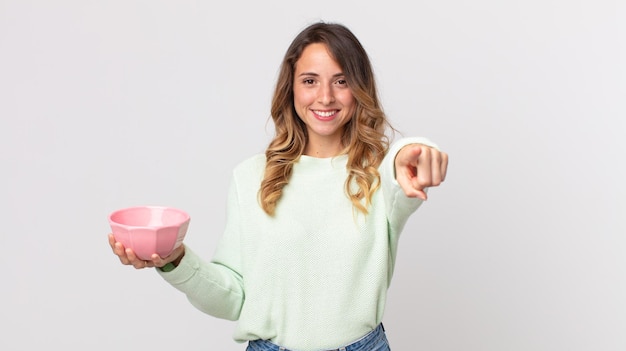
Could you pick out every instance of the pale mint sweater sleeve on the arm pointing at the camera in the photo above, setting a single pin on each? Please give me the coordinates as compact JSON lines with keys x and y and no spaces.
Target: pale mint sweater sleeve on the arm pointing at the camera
{"x":398,"y":206}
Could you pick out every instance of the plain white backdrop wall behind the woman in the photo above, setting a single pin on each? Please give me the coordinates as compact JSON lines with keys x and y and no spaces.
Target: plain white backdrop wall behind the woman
{"x":108,"y":104}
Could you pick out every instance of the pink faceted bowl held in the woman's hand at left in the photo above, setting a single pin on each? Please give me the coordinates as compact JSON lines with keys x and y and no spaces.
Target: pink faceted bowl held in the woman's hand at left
{"x":149,"y":229}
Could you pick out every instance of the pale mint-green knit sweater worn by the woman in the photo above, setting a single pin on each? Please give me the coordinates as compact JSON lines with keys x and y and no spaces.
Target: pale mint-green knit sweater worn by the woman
{"x":315,"y":275}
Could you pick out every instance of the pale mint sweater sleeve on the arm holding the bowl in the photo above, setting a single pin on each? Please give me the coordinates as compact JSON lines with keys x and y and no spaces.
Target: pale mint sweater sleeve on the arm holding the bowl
{"x":214,"y":287}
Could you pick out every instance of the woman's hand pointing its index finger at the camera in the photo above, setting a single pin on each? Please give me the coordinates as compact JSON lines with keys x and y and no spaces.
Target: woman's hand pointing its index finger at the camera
{"x":419,"y":167}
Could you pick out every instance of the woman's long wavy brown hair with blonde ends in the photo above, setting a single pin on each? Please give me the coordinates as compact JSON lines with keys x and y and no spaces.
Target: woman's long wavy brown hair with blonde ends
{"x":364,"y":138}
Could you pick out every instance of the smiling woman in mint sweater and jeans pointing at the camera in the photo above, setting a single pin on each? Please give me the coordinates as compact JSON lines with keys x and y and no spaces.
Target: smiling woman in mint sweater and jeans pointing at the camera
{"x":312,"y":226}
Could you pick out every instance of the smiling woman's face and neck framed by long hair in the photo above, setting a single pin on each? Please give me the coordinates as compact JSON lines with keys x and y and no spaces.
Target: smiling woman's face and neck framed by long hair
{"x":322,"y":99}
